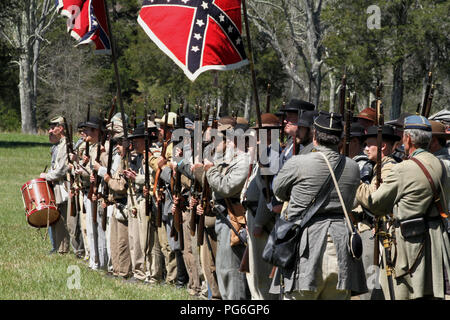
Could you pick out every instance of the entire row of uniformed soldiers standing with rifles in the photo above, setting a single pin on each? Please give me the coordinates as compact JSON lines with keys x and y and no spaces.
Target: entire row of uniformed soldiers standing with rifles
{"x":148,"y":207}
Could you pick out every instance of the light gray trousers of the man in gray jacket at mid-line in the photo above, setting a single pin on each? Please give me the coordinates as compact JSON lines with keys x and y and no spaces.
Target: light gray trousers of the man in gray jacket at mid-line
{"x":232,"y":283}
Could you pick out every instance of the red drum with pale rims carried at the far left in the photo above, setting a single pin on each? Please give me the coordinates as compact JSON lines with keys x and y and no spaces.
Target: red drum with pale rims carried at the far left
{"x":40,"y":204}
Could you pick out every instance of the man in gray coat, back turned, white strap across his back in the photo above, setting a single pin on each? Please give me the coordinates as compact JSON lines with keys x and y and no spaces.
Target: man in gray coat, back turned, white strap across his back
{"x":324,"y":268}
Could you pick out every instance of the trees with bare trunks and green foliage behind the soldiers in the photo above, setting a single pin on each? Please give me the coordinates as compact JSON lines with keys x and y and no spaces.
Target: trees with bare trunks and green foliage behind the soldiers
{"x":301,"y":47}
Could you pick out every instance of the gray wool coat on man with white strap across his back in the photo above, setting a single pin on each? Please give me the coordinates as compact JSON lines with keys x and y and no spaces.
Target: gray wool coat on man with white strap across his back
{"x":298,"y":182}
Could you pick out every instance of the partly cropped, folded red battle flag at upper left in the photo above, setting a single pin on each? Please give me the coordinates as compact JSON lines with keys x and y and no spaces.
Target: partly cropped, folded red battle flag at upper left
{"x":86,"y":22}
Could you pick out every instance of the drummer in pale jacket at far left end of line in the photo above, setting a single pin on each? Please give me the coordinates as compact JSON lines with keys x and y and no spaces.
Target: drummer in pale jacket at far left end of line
{"x":57,"y":175}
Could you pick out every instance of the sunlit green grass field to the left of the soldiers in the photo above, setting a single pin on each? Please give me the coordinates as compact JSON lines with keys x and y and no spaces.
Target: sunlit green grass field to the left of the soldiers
{"x":27,"y":272}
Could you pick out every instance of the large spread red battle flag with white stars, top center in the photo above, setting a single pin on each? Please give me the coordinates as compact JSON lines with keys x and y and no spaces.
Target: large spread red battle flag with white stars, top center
{"x":198,"y":35}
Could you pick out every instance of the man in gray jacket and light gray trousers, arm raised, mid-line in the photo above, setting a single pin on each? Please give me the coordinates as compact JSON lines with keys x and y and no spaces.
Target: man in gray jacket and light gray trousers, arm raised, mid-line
{"x":226,"y":179}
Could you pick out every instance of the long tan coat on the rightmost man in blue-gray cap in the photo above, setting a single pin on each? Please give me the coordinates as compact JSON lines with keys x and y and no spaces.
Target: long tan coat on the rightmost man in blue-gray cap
{"x":407,"y":193}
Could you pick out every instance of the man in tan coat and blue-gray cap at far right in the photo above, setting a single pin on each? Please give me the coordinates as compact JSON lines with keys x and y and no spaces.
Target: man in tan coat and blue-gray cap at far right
{"x":421,"y":259}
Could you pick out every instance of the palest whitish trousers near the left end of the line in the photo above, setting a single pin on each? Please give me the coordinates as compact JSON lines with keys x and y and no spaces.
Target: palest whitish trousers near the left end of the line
{"x":98,"y":258}
